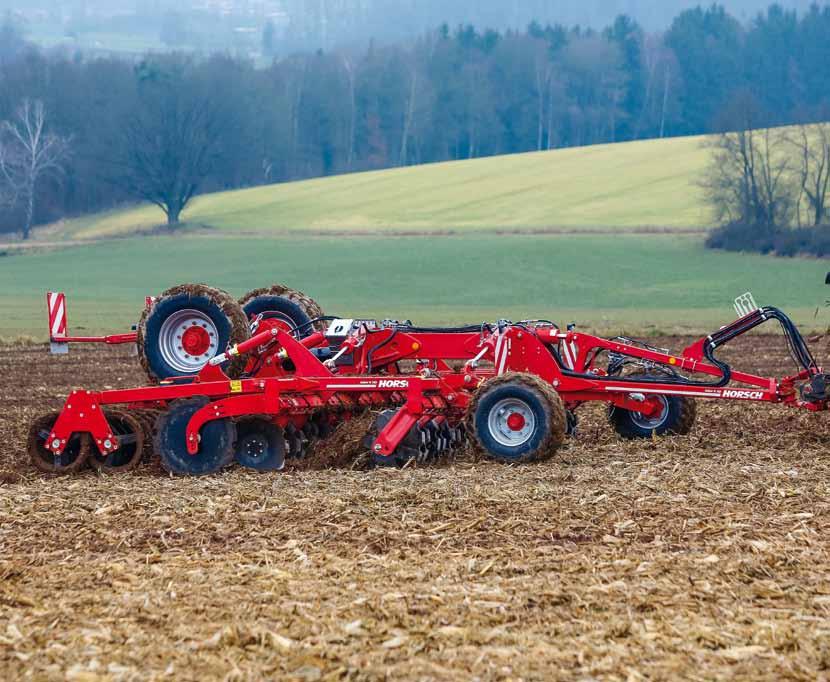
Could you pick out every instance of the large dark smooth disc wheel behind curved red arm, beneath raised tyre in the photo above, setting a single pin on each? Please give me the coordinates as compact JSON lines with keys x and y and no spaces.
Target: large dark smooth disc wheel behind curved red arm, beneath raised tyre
{"x":216,"y":447}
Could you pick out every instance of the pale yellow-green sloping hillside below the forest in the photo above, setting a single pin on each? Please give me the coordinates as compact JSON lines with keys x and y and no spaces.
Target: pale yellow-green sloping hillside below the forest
{"x":637,"y":184}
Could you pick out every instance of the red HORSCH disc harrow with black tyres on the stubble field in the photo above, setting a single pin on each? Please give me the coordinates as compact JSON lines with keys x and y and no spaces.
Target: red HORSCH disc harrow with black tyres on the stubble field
{"x":260,"y":379}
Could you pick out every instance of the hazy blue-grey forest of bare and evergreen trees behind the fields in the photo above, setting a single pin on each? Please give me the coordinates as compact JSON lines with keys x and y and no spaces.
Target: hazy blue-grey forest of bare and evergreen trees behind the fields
{"x":166,"y":127}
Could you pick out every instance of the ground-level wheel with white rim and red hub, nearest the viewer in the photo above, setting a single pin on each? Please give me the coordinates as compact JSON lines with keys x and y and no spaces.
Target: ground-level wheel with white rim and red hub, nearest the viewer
{"x":517,"y":418}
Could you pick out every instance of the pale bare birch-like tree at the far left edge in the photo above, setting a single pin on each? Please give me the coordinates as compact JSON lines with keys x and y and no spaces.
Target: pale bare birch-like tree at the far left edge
{"x":28,"y":154}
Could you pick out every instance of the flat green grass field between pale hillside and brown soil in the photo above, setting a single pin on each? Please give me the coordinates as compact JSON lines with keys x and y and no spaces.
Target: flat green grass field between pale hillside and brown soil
{"x":634,"y":283}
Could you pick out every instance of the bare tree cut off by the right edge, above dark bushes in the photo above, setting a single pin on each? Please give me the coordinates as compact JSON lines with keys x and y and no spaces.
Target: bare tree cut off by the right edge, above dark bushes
{"x":812,"y":146}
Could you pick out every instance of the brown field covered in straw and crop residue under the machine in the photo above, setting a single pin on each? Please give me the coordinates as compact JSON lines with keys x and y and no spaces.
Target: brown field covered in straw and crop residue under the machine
{"x":704,"y":556}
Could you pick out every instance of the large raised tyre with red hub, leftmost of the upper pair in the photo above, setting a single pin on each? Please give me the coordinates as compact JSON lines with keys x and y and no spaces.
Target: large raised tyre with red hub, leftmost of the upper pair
{"x":186,"y":327}
